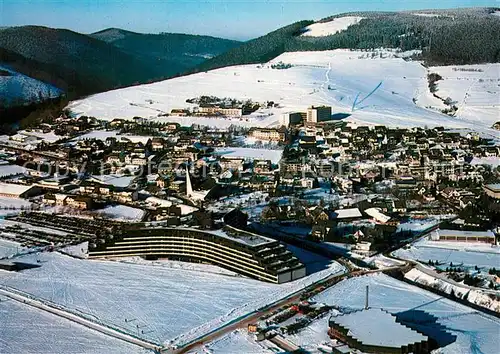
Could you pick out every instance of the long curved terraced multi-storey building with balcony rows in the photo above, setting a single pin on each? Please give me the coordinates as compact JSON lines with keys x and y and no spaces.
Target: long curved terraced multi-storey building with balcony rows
{"x":240,"y":251}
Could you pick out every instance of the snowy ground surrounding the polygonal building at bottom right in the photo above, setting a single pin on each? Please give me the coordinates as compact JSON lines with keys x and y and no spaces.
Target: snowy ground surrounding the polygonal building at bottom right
{"x":475,"y":332}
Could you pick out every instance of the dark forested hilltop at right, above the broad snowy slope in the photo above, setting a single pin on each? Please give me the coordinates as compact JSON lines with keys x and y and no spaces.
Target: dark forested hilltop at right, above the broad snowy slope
{"x":461,"y":36}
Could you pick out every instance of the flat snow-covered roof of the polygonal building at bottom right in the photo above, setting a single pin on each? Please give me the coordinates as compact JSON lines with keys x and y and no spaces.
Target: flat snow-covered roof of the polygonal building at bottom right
{"x":378,"y":328}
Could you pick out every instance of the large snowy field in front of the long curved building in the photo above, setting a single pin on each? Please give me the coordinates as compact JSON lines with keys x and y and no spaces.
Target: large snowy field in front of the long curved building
{"x":166,"y":303}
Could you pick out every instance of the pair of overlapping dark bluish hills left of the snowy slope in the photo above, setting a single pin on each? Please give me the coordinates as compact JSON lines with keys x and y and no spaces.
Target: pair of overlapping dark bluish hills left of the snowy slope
{"x":82,"y":64}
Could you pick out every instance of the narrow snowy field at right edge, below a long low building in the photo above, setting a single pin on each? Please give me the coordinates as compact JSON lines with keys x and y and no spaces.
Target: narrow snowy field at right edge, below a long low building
{"x":445,"y":252}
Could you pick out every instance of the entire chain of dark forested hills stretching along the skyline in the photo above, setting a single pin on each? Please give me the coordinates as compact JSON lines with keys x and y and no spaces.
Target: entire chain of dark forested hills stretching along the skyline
{"x":81,"y":65}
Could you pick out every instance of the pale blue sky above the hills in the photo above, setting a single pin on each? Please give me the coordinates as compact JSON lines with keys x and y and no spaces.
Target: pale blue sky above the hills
{"x":238,"y":19}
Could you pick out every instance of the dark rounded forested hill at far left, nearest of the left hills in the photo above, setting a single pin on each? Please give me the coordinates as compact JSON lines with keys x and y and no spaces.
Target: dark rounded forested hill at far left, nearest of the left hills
{"x":73,"y":62}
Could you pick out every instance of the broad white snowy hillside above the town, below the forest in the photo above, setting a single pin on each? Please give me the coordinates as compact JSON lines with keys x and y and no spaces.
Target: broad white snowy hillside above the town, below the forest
{"x":317,"y":78}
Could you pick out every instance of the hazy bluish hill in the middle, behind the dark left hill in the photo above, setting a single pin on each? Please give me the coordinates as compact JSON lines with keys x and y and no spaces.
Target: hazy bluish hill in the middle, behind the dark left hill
{"x":169,"y":53}
